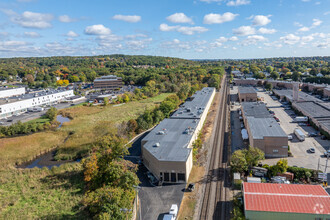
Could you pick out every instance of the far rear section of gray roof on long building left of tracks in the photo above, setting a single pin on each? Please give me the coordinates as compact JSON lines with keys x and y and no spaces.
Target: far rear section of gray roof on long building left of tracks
{"x":195,"y":105}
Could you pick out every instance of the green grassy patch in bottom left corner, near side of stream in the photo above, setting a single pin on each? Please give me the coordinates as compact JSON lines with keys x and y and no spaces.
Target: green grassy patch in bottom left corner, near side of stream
{"x":42,"y":193}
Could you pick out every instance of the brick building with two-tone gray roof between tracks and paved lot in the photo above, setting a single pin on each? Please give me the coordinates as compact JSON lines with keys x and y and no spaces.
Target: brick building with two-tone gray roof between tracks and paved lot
{"x":263,"y":130}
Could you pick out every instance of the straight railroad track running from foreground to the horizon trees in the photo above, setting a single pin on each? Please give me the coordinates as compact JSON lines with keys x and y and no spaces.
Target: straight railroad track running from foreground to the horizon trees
{"x":214,"y":203}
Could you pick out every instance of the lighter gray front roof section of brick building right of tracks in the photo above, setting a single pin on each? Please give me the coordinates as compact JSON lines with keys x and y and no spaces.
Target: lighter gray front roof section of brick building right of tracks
{"x":265,"y":127}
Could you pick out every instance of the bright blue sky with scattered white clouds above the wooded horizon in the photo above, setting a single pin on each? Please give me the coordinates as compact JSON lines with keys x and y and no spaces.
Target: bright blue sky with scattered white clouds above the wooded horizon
{"x":191,"y":29}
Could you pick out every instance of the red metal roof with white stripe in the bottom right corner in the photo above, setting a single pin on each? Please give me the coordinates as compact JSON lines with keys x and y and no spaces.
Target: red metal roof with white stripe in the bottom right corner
{"x":286,"y":198}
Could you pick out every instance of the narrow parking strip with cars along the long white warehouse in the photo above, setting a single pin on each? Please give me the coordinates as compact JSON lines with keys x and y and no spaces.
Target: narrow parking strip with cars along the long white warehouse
{"x":27,"y":116}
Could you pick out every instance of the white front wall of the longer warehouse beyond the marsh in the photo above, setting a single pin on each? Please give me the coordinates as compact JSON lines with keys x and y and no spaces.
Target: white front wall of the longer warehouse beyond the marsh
{"x":9,"y":109}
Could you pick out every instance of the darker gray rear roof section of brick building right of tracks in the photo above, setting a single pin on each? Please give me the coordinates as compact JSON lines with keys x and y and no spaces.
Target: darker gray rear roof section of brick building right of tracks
{"x":255,"y":109}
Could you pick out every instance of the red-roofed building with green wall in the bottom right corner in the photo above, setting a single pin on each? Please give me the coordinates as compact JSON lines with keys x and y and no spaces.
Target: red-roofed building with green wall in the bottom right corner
{"x":274,"y":201}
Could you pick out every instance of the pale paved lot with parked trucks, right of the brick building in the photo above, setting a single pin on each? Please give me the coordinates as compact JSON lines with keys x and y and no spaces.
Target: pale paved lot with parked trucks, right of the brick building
{"x":301,"y":156}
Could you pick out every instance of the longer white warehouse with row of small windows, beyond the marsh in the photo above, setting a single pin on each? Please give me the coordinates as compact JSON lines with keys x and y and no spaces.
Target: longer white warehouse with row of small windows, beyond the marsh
{"x":13,"y":105}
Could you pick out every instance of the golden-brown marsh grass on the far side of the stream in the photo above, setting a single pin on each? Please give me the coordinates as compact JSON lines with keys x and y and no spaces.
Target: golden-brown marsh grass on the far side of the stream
{"x":88,"y":124}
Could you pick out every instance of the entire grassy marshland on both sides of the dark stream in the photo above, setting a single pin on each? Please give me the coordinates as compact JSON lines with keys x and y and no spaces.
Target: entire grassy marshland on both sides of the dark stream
{"x":56,"y":193}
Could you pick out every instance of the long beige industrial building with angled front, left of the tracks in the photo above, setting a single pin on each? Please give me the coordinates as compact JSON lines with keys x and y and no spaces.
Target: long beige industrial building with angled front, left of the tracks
{"x":167,"y":149}
